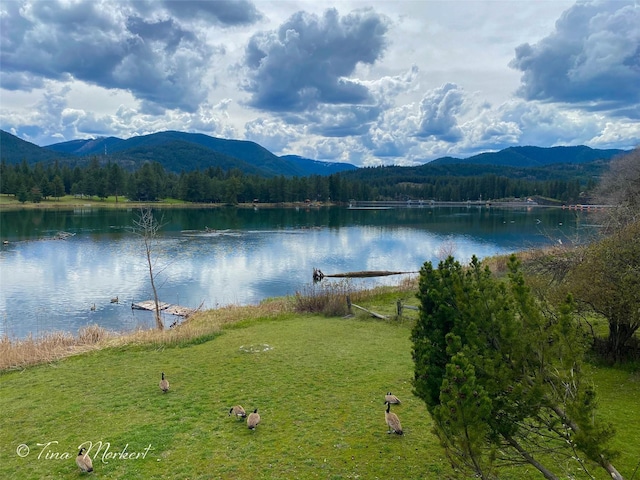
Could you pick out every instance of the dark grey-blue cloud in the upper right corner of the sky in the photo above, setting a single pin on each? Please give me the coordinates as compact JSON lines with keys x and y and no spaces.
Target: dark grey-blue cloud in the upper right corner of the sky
{"x":592,"y":58}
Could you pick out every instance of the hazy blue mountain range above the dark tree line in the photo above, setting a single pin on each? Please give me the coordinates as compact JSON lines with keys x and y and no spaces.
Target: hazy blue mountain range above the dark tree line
{"x":183,"y":152}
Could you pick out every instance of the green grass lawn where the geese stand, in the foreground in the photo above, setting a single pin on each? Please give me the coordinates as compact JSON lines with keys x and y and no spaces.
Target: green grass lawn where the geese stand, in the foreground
{"x":318,"y":383}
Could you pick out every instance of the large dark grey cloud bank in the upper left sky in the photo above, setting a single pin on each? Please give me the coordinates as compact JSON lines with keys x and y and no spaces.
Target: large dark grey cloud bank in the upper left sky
{"x":109,"y":44}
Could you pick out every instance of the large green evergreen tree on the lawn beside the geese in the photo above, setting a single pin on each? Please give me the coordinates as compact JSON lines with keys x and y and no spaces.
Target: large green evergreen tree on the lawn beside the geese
{"x":502,"y":378}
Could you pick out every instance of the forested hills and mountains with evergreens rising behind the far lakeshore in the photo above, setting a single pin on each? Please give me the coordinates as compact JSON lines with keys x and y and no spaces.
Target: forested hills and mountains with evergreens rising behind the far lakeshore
{"x":199,"y":168}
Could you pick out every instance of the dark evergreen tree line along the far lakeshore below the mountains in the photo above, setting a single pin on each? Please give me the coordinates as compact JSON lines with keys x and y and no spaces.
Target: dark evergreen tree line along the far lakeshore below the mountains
{"x":152,"y":182}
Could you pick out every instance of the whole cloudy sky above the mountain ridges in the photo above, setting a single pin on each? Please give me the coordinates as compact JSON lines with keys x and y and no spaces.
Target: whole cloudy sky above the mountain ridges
{"x":367,"y":82}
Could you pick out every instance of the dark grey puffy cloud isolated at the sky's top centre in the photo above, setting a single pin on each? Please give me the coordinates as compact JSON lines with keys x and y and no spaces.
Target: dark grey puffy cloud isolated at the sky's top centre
{"x":308,"y":60}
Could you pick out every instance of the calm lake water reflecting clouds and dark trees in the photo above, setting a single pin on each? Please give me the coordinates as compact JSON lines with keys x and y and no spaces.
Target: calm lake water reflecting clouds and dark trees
{"x":217,"y":257}
